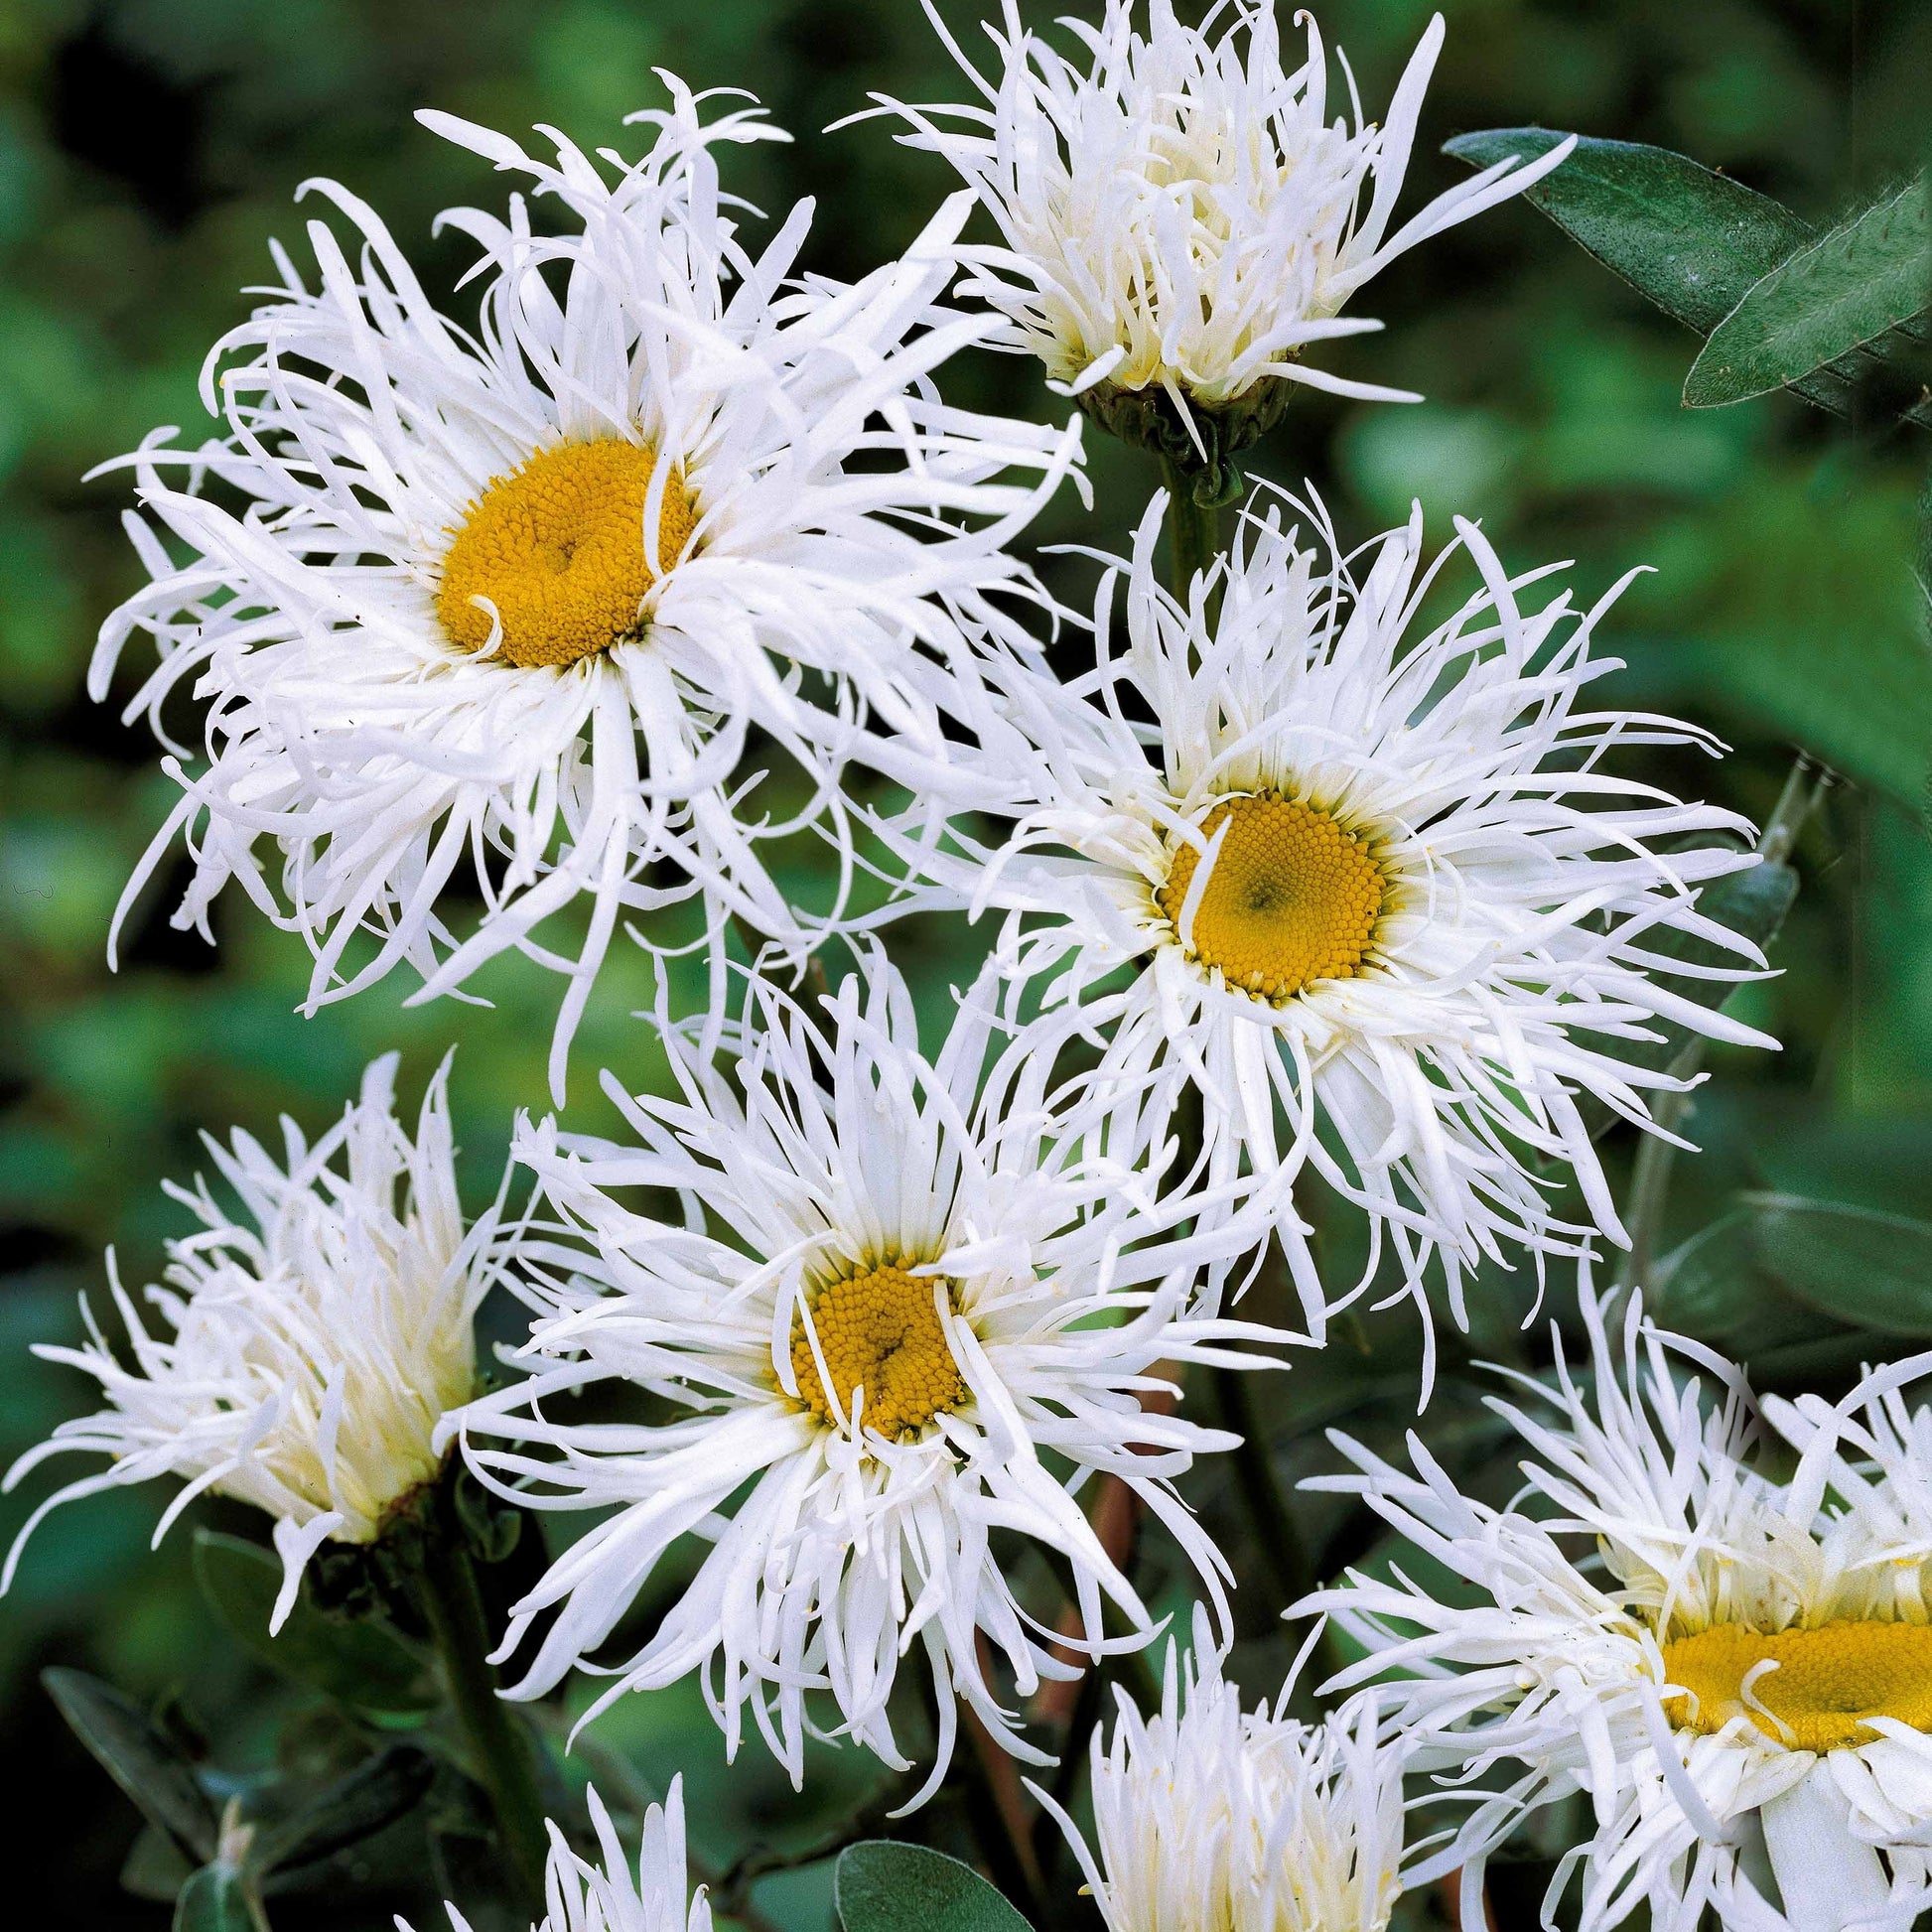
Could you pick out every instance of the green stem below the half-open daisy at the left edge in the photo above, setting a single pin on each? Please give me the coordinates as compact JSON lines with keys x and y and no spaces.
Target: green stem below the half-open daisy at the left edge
{"x":497,"y":1742}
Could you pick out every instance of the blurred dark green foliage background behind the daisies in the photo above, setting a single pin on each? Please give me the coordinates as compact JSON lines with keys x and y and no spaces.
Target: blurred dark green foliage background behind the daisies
{"x":150,"y":150}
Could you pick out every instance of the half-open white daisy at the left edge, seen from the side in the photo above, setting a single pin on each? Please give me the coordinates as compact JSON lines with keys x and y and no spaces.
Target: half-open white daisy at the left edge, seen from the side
{"x":316,"y":1342}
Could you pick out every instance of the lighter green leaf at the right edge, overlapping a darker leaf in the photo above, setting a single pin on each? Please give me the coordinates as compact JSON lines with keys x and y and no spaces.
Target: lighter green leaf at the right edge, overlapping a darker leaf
{"x":1821,"y":304}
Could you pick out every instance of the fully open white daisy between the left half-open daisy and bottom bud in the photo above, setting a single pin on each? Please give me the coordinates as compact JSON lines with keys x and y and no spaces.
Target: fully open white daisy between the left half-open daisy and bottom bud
{"x":899,"y":1288}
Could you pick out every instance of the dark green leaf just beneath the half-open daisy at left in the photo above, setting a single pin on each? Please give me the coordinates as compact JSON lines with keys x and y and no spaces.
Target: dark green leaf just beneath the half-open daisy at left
{"x":362,"y":1664}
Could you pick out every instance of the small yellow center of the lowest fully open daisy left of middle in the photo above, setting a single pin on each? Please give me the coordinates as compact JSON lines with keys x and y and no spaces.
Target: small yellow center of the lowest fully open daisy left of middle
{"x":880,"y":1332}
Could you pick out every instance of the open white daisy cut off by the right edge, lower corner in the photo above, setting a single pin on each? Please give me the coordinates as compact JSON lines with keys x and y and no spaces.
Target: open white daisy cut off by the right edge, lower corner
{"x":1730,"y":1659}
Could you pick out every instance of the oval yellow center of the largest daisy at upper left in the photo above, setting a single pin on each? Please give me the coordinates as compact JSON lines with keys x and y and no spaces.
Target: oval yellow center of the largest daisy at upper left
{"x":557,"y":548}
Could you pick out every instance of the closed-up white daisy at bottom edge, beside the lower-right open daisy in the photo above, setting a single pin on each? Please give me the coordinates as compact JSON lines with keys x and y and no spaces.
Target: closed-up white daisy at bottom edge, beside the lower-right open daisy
{"x":1214,"y":1819}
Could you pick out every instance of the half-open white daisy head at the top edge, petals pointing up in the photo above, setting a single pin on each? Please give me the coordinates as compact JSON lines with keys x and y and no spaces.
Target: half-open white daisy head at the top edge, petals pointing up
{"x":1178,"y":210}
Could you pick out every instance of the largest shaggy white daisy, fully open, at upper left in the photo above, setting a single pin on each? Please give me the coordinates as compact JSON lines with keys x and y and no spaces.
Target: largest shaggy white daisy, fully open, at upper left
{"x":509,"y":611}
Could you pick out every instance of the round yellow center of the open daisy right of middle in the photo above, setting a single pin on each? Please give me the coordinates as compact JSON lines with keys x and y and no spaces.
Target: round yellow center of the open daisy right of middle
{"x":1293,"y":897}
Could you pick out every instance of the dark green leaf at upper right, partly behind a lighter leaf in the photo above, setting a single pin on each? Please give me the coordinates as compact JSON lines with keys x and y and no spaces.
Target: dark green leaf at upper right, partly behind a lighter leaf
{"x":1690,"y":241}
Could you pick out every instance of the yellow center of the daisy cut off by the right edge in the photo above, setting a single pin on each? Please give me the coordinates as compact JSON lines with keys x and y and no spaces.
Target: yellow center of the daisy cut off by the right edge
{"x":1827,"y":1682}
